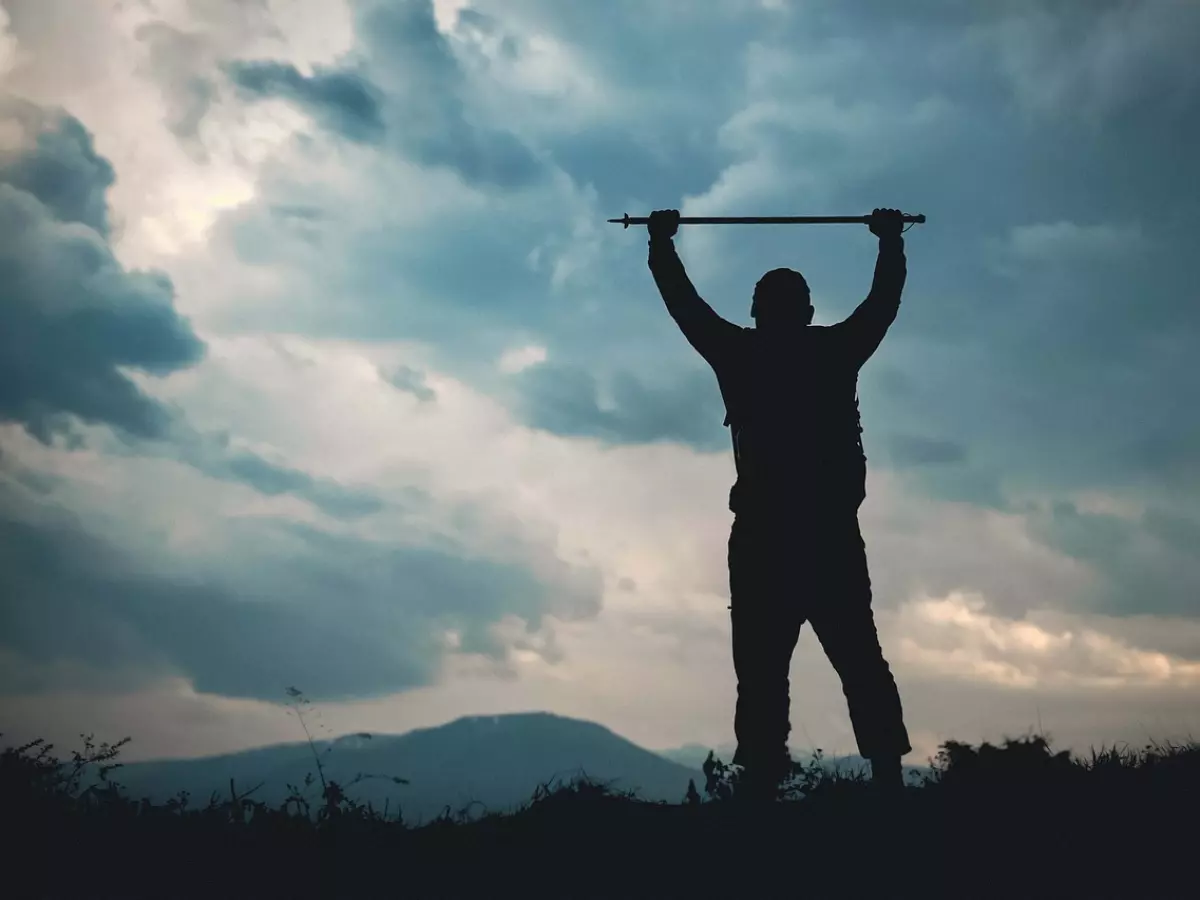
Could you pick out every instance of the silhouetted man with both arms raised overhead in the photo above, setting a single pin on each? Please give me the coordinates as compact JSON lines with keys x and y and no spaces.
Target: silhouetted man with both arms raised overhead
{"x":796,"y":553}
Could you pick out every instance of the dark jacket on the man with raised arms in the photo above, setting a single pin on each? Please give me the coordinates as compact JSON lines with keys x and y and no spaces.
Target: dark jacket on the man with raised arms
{"x":791,"y":399}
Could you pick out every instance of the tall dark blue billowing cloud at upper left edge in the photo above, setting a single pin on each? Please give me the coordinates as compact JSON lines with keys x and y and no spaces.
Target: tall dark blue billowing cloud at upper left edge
{"x":71,"y":316}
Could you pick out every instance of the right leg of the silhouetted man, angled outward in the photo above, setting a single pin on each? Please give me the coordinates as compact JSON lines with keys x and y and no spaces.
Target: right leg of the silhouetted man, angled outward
{"x":844,"y":623}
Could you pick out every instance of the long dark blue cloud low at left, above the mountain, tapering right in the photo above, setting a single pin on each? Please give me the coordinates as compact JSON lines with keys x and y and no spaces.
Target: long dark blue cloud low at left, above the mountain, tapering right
{"x":70,"y":598}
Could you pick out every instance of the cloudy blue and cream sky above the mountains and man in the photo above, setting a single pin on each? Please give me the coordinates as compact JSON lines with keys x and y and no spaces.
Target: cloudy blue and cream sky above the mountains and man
{"x":320,"y":365}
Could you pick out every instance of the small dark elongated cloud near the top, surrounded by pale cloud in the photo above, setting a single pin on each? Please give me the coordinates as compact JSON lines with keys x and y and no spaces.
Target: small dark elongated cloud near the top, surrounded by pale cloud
{"x":343,"y":101}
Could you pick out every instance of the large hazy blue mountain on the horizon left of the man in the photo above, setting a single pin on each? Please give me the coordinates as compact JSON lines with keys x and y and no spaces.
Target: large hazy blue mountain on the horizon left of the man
{"x":496,"y":760}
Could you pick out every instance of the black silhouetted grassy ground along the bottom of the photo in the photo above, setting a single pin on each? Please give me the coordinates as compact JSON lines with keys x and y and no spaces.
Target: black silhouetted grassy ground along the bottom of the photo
{"x":1016,"y":820}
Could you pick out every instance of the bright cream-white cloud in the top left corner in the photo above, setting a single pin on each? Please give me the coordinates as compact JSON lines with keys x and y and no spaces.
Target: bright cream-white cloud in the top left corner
{"x":128,"y":76}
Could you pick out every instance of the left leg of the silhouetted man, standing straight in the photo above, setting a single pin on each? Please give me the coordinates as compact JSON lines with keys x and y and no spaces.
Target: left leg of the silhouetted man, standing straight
{"x":766,"y":626}
